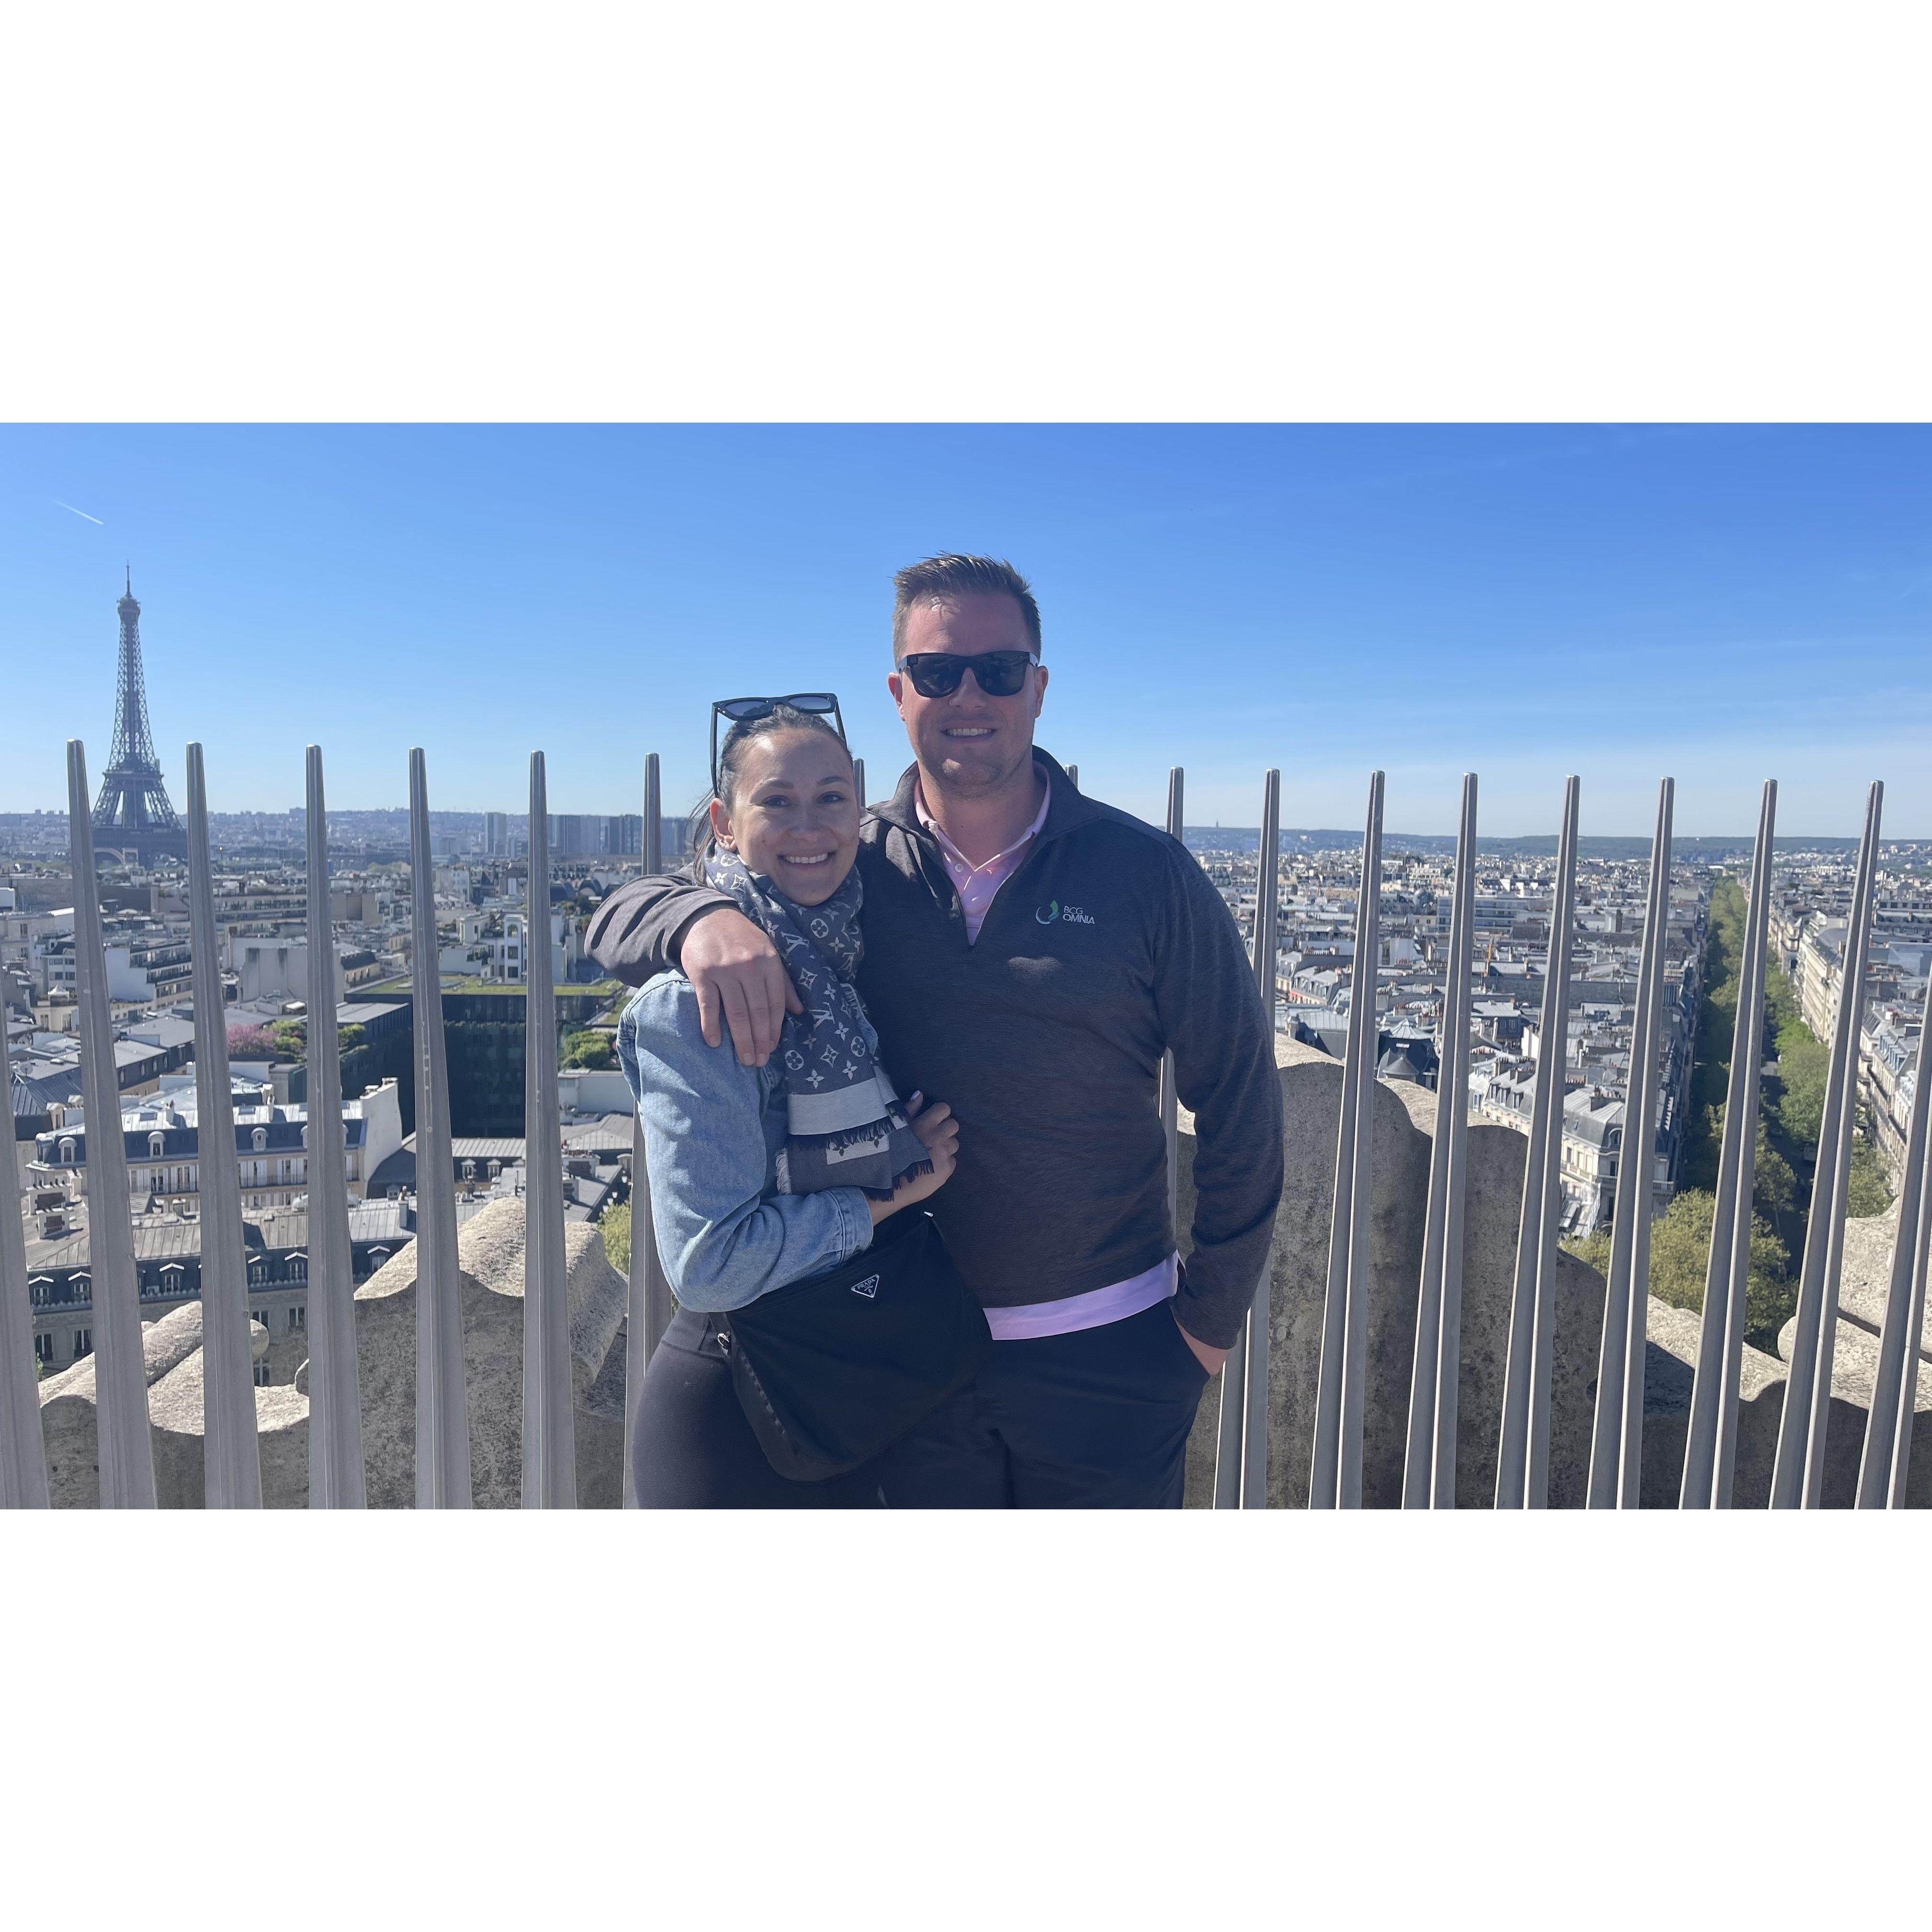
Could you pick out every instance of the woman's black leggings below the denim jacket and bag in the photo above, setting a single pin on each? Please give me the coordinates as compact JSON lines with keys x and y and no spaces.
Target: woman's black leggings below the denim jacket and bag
{"x":695,"y":1448}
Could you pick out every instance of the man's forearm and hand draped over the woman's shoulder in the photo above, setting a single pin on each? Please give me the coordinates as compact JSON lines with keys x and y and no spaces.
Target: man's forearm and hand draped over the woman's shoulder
{"x":668,"y":923}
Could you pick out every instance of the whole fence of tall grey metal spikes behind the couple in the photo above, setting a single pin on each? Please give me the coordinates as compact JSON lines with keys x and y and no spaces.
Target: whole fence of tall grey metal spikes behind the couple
{"x":1241,"y":1479}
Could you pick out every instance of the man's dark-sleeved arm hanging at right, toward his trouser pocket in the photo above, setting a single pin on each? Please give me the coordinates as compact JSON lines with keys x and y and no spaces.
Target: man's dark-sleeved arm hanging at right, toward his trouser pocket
{"x":1226,"y":1077}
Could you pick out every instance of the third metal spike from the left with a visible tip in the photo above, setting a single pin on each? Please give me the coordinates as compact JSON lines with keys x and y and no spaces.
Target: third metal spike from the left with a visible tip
{"x":335,"y":1400}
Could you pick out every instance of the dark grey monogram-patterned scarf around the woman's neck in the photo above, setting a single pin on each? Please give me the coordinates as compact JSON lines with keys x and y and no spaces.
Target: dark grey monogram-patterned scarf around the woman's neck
{"x":849,"y":1129}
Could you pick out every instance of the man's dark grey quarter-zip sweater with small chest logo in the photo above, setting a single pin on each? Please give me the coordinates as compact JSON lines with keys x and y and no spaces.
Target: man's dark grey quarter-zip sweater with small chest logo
{"x":1106,"y":948}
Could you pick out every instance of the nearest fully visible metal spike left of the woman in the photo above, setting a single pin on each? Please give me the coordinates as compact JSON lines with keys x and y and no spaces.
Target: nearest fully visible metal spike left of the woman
{"x":550,"y":1431}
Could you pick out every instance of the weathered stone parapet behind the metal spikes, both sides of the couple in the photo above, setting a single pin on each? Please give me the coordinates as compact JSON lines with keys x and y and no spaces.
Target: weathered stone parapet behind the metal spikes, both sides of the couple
{"x":492,"y":1261}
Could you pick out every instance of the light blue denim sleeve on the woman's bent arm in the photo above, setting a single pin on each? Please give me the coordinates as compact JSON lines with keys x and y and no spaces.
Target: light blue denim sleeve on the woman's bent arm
{"x":722,"y":1237}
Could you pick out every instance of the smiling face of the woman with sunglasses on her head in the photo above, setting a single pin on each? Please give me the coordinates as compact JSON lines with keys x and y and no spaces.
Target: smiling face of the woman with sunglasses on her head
{"x":795,"y":814}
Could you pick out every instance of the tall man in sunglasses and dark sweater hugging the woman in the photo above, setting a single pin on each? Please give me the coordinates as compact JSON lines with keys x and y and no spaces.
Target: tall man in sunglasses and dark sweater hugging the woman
{"x":1029,"y":959}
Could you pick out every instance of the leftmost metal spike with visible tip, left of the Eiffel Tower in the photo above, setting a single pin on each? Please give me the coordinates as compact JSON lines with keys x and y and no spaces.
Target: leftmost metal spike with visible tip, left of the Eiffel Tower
{"x":121,"y":1365}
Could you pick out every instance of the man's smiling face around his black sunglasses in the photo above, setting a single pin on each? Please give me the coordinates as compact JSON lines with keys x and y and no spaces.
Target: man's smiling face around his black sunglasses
{"x":971,"y":743}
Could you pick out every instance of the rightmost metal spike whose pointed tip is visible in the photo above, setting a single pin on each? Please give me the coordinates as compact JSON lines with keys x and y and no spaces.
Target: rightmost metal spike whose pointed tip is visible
{"x":1798,"y":1477}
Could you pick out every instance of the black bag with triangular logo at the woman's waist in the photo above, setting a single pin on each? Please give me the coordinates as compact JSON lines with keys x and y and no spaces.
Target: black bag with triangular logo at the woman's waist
{"x":834,"y":1369}
